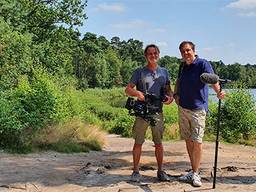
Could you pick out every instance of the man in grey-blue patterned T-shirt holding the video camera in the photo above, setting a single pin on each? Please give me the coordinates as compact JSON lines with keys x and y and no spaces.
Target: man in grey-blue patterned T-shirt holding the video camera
{"x":150,"y":79}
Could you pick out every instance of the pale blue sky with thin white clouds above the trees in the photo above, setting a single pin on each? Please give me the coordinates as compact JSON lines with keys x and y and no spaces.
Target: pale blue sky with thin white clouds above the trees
{"x":221,"y":29}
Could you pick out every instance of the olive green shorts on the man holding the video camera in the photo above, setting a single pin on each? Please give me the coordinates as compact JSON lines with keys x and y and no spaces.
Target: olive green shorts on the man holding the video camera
{"x":140,"y":127}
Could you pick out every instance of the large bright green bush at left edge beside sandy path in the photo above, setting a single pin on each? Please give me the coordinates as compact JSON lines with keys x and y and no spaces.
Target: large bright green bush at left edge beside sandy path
{"x":33,"y":104}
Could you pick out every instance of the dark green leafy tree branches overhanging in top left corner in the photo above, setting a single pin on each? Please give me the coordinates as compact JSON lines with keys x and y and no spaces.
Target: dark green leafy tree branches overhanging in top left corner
{"x":41,"y":17}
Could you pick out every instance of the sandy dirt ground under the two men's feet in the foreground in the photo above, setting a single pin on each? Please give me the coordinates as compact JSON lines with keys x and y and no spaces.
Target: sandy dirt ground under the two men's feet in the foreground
{"x":109,"y":170}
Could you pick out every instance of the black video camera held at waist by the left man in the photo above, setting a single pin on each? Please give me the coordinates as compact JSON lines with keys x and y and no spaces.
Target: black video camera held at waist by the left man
{"x":146,"y":109}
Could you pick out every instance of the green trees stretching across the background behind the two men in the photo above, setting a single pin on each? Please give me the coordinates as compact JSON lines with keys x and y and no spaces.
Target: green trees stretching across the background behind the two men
{"x":45,"y":34}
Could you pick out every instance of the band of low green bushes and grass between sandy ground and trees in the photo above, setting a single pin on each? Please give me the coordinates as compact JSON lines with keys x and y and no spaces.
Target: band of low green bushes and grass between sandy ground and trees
{"x":76,"y":121}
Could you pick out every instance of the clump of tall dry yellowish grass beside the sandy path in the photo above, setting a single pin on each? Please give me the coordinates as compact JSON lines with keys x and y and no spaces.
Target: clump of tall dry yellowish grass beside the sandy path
{"x":72,"y":136}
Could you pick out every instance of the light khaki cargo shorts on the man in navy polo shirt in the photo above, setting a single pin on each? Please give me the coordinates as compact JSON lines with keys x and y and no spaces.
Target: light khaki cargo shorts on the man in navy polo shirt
{"x":192,"y":124}
